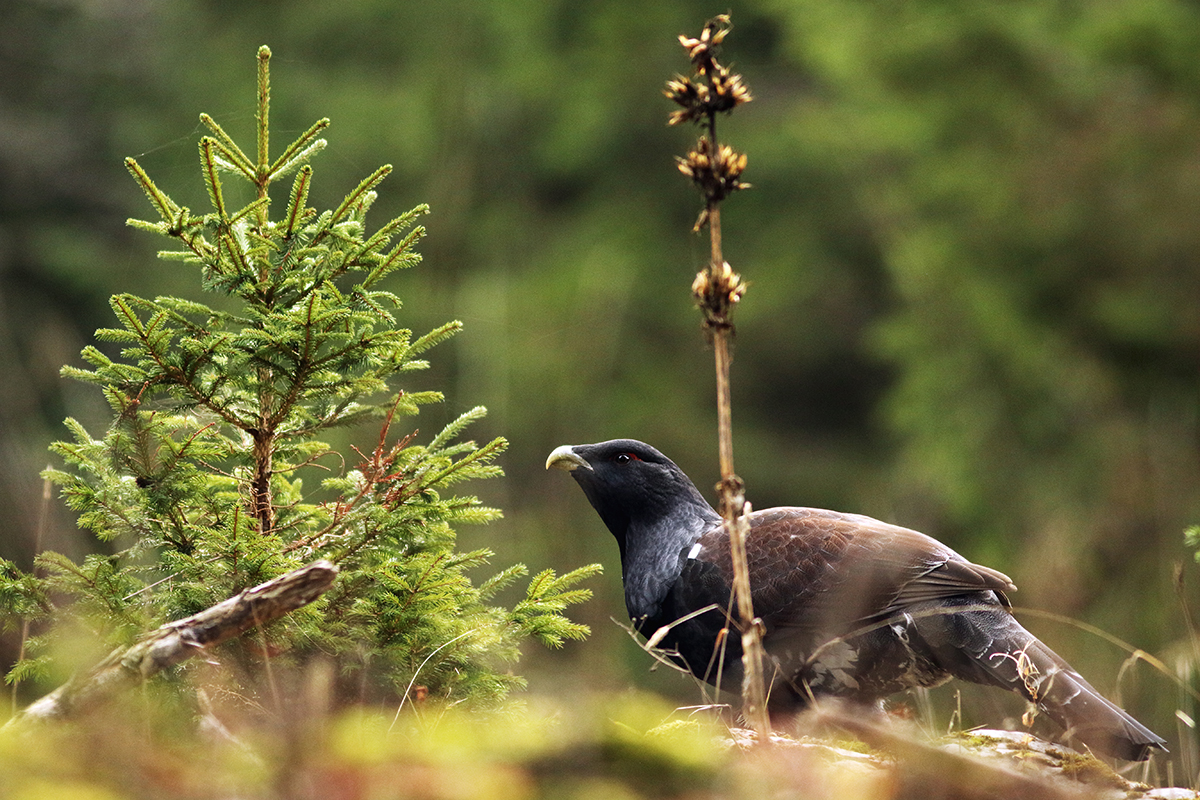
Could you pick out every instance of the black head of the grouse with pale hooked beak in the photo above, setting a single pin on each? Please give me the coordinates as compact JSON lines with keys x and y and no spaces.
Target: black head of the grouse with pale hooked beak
{"x":632,"y":485}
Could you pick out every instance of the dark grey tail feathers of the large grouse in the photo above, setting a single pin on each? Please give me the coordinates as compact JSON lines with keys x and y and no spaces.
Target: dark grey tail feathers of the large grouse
{"x":1015,"y":659}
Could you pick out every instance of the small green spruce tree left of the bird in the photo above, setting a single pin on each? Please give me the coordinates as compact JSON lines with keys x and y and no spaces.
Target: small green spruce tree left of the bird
{"x":196,"y":489}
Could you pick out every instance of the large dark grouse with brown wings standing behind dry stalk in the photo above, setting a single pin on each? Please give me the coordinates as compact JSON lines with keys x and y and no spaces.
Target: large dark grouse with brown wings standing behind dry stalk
{"x":853,"y":607}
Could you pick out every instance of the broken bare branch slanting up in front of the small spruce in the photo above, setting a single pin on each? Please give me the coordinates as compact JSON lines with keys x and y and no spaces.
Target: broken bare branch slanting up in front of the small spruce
{"x":179,"y":641}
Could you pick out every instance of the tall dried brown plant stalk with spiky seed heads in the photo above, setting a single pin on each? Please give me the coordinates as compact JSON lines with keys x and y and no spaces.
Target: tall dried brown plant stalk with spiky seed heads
{"x":716,"y":170}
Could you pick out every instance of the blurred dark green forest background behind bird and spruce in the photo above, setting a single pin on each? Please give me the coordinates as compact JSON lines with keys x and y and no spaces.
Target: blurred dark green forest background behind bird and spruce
{"x":974,"y":245}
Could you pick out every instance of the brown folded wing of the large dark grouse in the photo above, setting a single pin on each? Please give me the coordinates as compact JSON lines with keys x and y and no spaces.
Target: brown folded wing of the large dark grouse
{"x":823,"y":570}
